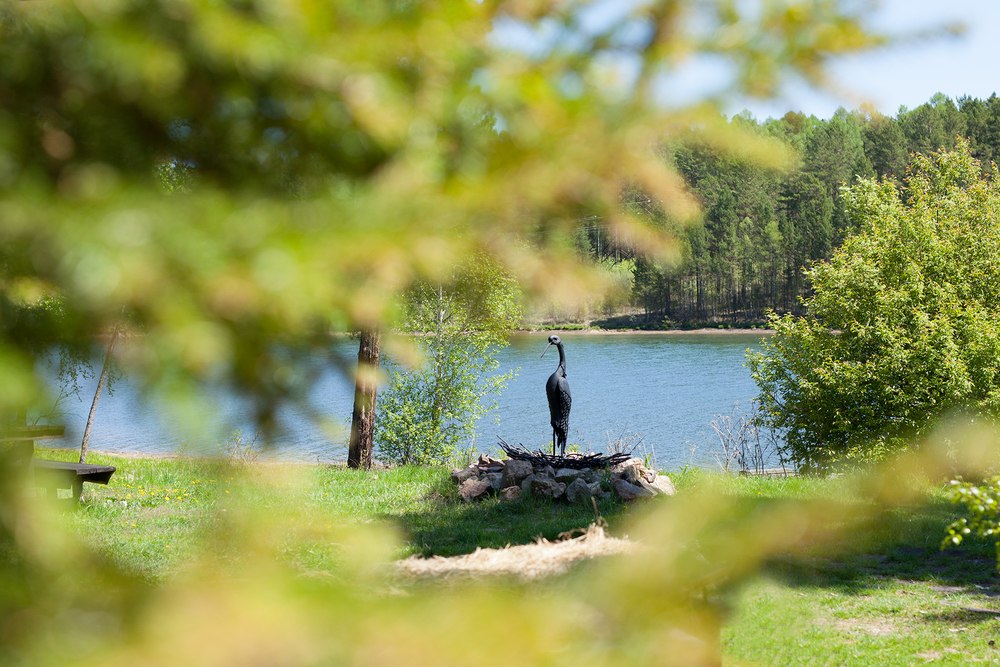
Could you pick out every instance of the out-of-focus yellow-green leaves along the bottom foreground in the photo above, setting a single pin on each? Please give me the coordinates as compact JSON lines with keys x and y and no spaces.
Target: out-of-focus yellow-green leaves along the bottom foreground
{"x":237,"y":596}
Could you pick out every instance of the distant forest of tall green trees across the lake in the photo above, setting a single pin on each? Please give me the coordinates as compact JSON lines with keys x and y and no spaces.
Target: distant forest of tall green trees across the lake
{"x":760,"y":228}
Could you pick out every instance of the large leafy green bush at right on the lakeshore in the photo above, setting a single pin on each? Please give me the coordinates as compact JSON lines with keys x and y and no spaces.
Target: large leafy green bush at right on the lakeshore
{"x":901,"y":329}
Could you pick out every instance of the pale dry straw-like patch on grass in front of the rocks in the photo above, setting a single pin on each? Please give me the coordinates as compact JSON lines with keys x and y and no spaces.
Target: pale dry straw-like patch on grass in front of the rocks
{"x":525,"y":562}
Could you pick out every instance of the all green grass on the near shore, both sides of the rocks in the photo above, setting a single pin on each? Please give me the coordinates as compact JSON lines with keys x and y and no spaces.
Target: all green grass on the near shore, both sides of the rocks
{"x":847,"y":579}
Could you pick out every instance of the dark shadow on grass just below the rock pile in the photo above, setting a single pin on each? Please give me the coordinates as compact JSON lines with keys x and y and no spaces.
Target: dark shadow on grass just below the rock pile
{"x":450,"y":527}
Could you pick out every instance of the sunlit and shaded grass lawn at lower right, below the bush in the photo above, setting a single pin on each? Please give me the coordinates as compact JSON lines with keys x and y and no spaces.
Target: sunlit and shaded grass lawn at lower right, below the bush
{"x":876,"y":590}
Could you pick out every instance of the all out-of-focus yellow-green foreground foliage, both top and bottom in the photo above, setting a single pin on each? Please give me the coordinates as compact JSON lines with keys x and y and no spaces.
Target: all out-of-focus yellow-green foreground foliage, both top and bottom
{"x":242,"y":177}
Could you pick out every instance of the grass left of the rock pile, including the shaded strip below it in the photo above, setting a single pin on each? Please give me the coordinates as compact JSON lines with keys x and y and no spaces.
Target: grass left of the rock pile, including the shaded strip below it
{"x":158,"y":513}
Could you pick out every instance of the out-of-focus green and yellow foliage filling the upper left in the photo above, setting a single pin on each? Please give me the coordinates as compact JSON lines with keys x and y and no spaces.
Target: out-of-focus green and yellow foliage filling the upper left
{"x":241,"y":174}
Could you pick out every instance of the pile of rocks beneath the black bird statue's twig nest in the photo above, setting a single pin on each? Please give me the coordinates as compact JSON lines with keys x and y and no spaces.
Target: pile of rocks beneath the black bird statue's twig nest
{"x":513,"y":478}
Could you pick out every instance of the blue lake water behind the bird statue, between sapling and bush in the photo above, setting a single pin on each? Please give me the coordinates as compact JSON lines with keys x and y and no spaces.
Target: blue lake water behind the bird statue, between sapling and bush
{"x":665,"y":387}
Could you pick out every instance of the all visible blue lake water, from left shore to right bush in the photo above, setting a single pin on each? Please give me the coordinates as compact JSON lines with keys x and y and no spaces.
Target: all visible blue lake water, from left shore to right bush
{"x":665,"y":387}
